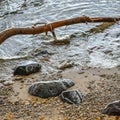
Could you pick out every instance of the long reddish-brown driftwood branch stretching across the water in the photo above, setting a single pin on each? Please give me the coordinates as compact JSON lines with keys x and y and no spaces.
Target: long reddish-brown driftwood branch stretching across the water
{"x":51,"y":26}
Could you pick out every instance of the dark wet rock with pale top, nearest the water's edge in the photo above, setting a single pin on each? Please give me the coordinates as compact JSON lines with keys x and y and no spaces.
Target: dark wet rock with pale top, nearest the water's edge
{"x":27,"y":67}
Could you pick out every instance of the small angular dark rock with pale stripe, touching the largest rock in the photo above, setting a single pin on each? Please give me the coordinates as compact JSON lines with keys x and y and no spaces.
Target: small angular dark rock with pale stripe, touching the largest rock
{"x":72,"y":96}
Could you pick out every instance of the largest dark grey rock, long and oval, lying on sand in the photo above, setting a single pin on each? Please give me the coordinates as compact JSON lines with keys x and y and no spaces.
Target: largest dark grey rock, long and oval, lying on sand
{"x":45,"y":89}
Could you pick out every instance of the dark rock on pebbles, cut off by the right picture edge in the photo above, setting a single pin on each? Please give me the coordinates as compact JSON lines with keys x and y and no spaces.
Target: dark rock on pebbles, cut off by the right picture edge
{"x":112,"y":109}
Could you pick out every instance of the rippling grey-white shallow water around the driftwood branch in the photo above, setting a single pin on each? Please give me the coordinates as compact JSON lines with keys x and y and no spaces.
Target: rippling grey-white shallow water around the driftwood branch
{"x":96,"y":50}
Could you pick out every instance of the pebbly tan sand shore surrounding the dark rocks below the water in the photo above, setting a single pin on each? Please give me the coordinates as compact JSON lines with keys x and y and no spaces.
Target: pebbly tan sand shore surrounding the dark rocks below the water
{"x":98,"y":86}
